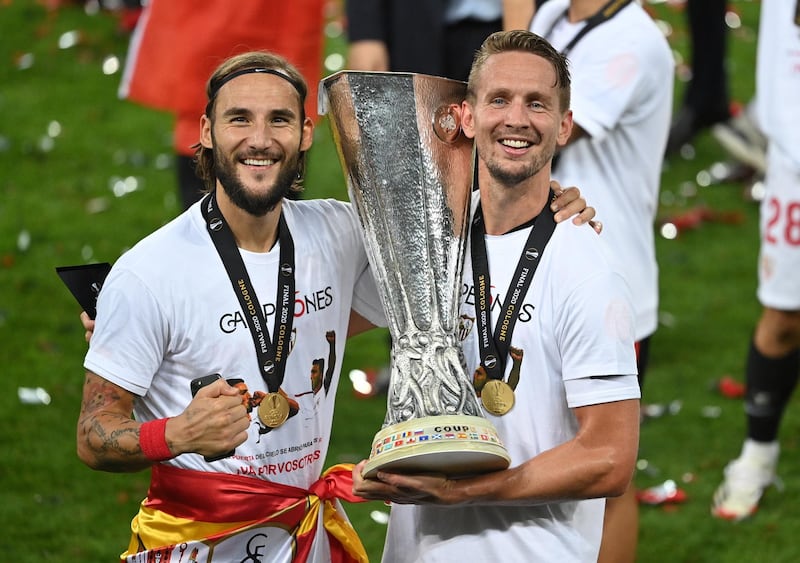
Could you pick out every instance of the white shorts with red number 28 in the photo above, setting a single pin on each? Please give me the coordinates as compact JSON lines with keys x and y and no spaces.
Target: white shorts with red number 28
{"x":779,"y":258}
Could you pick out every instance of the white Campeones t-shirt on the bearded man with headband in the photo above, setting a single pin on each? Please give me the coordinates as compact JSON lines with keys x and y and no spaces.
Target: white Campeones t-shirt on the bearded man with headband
{"x":167,"y":314}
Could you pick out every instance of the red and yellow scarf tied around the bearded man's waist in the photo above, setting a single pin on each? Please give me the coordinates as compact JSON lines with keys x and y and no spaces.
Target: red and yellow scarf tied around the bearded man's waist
{"x":184,"y":505}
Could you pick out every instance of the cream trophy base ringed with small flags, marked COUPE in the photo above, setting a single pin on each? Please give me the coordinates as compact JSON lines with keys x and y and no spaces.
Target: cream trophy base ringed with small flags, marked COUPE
{"x":454,"y":445}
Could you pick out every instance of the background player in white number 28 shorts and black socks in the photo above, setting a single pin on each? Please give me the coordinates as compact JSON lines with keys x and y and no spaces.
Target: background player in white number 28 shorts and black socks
{"x":773,"y":359}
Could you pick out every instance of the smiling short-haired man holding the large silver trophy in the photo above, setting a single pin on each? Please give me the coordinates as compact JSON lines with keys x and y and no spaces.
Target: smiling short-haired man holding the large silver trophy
{"x":570,"y":417}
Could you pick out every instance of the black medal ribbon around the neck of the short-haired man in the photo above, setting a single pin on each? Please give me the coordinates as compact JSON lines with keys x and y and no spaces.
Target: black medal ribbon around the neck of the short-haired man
{"x":494,"y":347}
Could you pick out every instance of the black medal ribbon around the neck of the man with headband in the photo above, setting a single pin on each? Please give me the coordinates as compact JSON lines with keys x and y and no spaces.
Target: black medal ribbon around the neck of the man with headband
{"x":271,"y":359}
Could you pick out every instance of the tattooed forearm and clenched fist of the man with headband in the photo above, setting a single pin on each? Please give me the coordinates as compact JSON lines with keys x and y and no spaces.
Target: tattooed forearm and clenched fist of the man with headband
{"x":108,"y":438}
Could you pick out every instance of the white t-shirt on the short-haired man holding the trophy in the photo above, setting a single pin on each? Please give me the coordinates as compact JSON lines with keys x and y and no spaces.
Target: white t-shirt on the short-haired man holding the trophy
{"x":575,"y":324}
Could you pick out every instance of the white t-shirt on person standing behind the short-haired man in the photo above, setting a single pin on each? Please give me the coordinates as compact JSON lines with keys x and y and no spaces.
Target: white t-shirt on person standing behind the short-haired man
{"x":622,"y":76}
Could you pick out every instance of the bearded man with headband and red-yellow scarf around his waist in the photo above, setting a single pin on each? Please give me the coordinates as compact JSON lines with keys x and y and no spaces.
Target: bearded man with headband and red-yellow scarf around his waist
{"x":210,"y":297}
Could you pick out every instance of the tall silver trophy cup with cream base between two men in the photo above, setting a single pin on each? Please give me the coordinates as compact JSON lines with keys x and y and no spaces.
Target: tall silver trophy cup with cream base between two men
{"x":409,"y":173}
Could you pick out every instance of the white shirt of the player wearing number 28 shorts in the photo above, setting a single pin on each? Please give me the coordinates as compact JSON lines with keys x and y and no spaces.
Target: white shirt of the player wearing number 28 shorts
{"x":778,"y":77}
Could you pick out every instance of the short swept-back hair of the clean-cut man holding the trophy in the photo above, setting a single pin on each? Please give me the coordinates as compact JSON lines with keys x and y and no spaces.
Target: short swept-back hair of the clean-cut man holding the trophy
{"x":526,"y":42}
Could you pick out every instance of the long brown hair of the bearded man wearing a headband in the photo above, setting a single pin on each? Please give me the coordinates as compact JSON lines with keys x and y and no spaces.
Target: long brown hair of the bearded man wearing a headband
{"x":261,"y":62}
